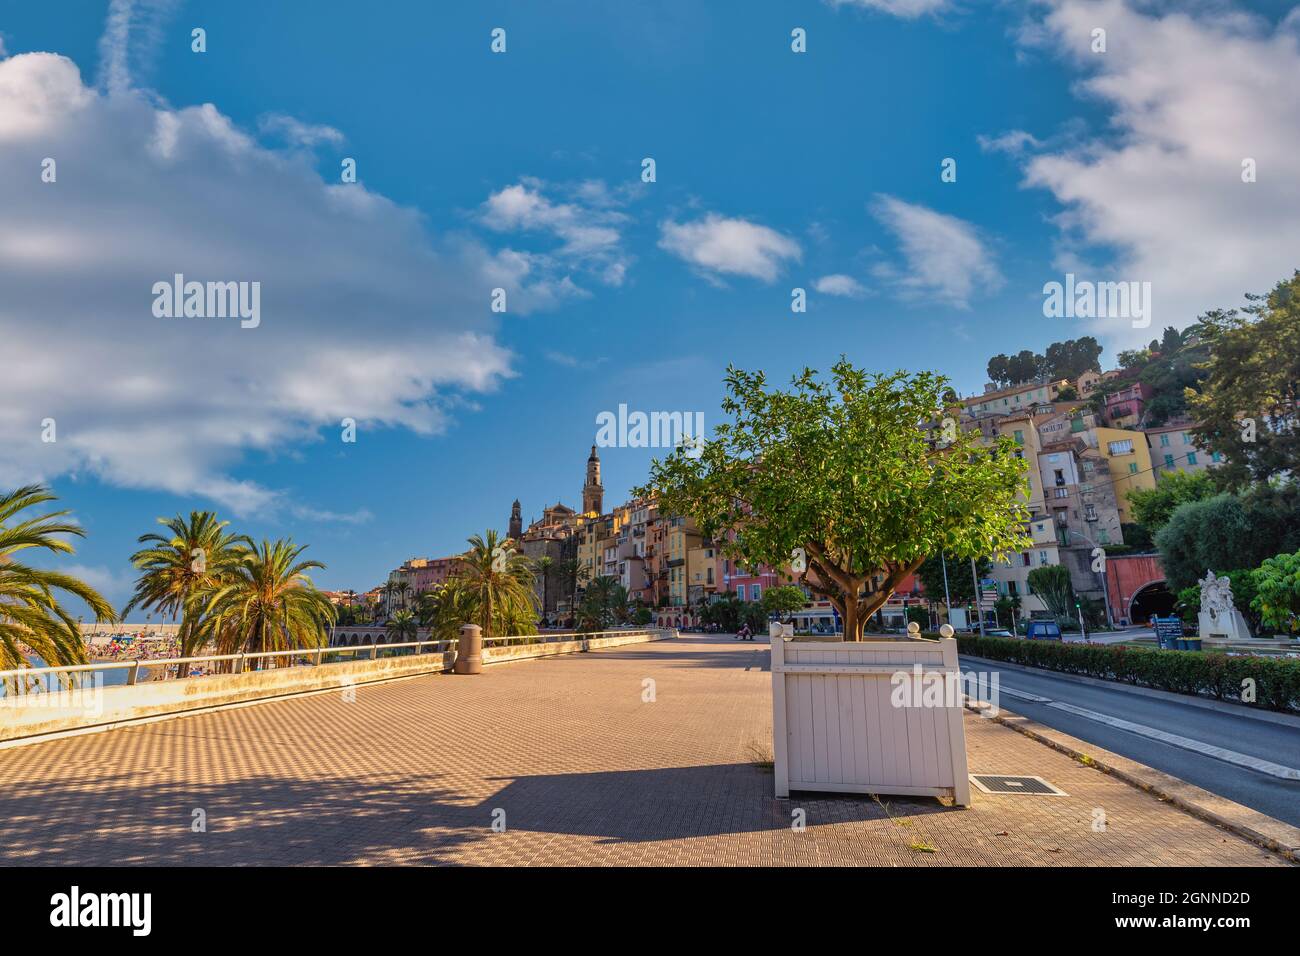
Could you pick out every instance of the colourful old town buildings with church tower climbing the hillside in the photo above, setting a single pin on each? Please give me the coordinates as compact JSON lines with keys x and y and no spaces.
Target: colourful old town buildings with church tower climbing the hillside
{"x":1084,"y":453}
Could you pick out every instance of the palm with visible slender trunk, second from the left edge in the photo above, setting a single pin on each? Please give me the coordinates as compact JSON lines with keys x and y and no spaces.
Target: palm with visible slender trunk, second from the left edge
{"x":180,"y":569}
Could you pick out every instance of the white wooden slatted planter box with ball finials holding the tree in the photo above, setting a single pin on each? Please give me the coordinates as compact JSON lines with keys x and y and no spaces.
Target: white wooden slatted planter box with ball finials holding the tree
{"x":837,"y":725}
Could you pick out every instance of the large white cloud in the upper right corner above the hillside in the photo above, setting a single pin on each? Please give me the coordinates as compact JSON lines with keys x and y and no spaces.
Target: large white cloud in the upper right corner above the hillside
{"x":1160,"y":197}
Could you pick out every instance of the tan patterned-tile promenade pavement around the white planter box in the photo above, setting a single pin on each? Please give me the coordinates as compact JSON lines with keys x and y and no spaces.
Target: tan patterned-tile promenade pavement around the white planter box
{"x":570,"y":758}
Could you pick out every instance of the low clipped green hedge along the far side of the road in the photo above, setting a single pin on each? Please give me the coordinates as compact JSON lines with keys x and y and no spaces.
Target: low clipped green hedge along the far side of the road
{"x":1277,"y":681}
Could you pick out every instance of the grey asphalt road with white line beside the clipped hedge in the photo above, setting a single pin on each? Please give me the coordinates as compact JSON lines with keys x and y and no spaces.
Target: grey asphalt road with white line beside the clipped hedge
{"x":1255,"y":758}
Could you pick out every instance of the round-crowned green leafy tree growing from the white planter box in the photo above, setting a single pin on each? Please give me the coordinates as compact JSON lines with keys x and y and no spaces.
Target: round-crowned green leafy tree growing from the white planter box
{"x":840,"y":475}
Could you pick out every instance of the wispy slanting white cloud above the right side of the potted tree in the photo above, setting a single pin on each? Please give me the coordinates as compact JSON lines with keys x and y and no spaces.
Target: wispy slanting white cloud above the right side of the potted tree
{"x":946,"y":258}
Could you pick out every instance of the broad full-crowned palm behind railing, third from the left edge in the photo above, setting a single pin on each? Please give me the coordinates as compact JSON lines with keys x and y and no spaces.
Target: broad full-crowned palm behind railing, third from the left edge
{"x":270,"y":604}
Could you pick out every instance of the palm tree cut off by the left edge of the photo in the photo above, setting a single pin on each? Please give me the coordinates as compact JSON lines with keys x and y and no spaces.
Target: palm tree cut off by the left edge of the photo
{"x":31,"y":613}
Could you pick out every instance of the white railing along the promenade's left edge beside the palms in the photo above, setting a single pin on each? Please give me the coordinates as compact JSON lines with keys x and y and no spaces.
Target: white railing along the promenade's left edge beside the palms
{"x":23,"y":677}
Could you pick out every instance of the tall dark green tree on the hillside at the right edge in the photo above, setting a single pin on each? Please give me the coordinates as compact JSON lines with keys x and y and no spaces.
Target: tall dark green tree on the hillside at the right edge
{"x":1253,"y":373}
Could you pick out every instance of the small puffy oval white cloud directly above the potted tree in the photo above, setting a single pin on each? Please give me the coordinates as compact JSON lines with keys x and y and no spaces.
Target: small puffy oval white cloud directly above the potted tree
{"x":730,"y":246}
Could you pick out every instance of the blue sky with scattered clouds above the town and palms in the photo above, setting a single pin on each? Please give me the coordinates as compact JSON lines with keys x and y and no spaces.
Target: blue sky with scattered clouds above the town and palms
{"x":774,"y":170}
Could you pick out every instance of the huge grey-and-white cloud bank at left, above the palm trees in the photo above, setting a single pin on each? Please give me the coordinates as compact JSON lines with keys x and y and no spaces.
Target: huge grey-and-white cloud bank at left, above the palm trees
{"x":363,"y":315}
